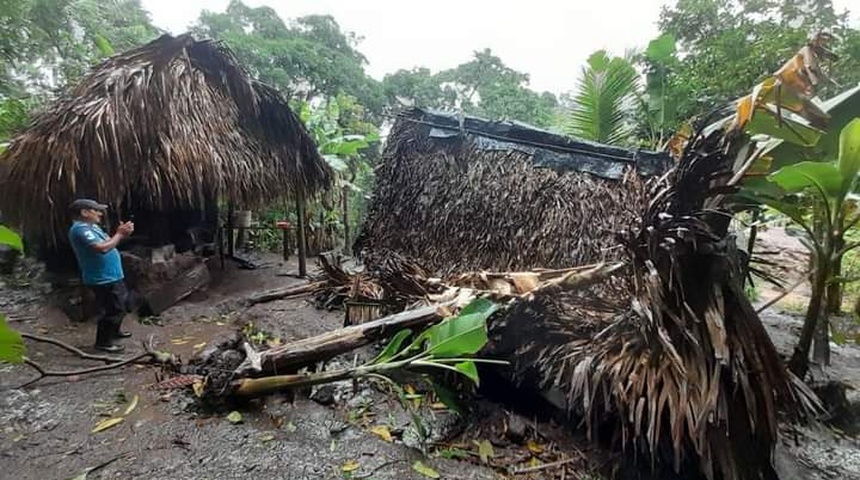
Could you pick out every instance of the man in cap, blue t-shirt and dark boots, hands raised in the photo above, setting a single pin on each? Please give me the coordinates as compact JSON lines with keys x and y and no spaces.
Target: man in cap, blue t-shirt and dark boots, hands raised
{"x":101,"y":269}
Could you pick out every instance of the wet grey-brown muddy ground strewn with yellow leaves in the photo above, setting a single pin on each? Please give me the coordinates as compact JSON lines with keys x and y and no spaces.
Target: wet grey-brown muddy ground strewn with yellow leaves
{"x":46,"y":428}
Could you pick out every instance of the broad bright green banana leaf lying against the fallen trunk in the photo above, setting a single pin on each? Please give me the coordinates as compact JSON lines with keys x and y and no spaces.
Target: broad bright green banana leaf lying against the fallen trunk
{"x":464,"y":334}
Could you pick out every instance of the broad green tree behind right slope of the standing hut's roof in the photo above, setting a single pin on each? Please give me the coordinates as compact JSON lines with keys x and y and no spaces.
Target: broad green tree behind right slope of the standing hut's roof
{"x":307,"y":58}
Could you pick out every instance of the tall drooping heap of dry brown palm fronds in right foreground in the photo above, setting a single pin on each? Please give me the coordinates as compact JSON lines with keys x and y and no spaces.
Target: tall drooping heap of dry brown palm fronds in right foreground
{"x":686,"y":374}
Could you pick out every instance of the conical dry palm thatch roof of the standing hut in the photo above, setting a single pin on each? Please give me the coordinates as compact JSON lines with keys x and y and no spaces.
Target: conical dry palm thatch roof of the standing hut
{"x":167,"y":124}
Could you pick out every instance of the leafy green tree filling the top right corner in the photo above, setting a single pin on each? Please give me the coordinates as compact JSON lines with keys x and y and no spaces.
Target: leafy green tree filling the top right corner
{"x":725,"y":45}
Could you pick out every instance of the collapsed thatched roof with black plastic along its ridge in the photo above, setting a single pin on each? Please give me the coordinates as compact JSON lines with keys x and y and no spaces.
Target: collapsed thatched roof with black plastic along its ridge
{"x":471,"y":195}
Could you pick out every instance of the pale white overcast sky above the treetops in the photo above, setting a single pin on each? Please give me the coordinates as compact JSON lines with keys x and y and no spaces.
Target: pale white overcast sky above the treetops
{"x":548,"y":39}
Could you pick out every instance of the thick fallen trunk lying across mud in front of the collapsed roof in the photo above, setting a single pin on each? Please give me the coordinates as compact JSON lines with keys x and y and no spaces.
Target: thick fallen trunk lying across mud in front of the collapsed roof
{"x":293,"y":355}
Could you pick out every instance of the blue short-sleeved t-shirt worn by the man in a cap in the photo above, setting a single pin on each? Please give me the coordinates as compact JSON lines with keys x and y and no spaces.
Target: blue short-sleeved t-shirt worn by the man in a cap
{"x":96,"y":268}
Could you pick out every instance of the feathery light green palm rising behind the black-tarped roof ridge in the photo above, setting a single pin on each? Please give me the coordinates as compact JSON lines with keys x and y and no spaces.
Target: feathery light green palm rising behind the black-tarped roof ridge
{"x":603,"y":100}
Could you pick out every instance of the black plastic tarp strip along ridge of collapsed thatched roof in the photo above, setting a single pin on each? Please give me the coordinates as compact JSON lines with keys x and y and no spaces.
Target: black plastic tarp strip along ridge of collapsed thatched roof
{"x":548,"y":149}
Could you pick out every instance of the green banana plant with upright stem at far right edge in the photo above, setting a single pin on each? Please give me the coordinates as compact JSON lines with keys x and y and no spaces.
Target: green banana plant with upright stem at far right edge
{"x":820,"y":198}
